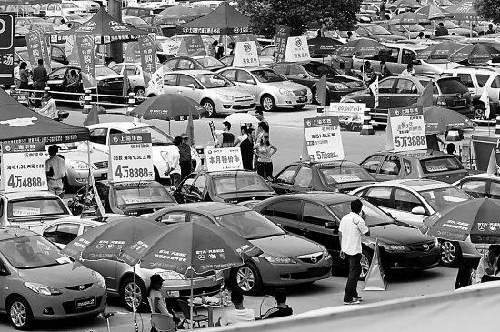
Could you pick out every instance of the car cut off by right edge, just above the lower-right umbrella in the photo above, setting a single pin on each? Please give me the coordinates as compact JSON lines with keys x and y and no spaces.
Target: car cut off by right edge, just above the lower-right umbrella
{"x":480,"y":185}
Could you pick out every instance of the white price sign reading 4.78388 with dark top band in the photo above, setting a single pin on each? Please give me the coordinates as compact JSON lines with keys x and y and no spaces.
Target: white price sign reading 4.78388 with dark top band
{"x":130,"y":157}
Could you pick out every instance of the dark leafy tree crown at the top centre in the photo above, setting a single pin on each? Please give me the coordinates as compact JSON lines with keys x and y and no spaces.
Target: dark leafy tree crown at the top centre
{"x":300,"y":14}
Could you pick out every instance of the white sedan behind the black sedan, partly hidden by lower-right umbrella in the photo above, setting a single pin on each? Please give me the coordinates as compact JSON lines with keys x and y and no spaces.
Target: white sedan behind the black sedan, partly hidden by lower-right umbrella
{"x":411,"y":201}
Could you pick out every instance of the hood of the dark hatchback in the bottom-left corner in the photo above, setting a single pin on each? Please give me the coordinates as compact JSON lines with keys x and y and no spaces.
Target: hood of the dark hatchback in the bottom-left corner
{"x":65,"y":275}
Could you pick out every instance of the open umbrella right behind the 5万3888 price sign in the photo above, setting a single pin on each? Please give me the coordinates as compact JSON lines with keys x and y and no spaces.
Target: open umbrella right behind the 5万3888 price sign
{"x":439,"y":119}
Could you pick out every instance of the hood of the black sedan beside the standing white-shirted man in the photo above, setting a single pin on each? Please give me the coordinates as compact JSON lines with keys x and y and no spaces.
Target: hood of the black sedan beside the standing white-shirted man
{"x":398,"y":235}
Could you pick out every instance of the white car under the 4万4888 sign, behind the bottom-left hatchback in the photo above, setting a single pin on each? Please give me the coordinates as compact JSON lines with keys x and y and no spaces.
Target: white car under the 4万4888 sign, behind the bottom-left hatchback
{"x":30,"y":209}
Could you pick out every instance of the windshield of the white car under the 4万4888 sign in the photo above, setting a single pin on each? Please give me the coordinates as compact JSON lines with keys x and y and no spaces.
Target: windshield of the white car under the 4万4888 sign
{"x":28,"y":208}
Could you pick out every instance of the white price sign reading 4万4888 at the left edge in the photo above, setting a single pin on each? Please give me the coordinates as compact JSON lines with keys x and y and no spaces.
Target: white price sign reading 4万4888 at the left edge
{"x":23,"y":167}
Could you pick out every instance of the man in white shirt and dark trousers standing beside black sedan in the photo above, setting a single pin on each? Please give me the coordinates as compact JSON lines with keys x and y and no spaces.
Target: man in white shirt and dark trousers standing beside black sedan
{"x":352,"y":227}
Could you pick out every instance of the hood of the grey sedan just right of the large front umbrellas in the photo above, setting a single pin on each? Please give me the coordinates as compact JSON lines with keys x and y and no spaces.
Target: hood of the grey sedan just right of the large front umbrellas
{"x":286,"y":246}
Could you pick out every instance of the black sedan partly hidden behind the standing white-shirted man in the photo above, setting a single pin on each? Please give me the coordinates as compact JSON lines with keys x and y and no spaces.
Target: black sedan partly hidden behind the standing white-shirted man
{"x":317,"y":216}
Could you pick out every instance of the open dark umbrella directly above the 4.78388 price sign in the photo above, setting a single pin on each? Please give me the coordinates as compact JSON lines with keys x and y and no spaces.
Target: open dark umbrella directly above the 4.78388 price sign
{"x":168,"y":107}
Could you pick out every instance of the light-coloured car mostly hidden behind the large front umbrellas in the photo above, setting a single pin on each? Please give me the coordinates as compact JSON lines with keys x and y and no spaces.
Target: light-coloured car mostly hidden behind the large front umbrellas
{"x":119,"y":276}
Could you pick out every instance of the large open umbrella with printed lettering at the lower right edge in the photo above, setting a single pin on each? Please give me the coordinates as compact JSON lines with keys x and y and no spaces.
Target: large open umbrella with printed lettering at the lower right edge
{"x":478,"y":218}
